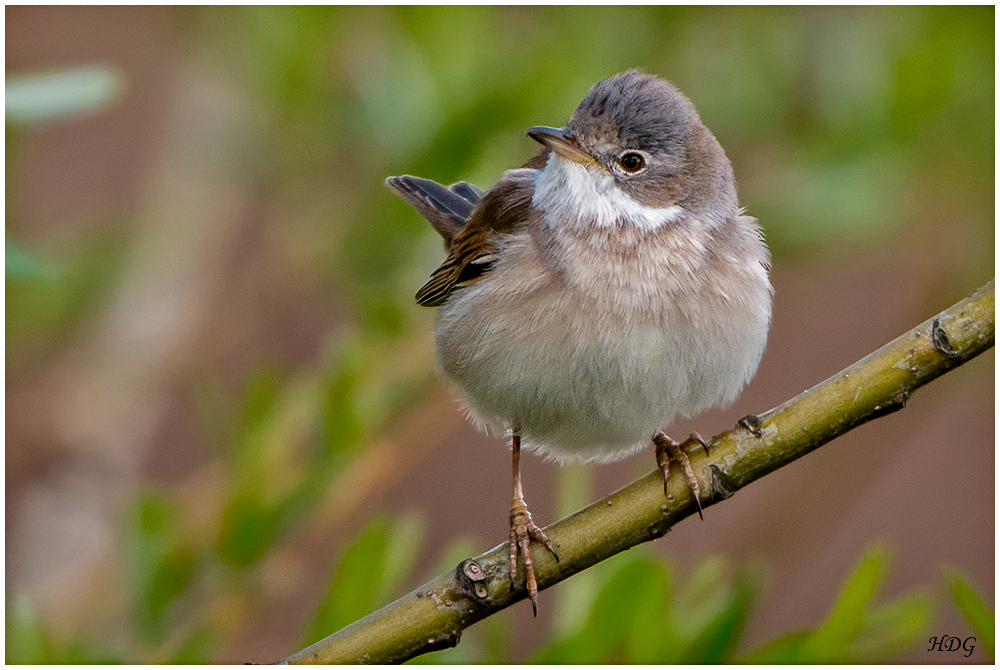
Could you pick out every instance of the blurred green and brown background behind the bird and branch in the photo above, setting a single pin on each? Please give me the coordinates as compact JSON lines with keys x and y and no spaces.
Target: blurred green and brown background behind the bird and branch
{"x":225,"y":438}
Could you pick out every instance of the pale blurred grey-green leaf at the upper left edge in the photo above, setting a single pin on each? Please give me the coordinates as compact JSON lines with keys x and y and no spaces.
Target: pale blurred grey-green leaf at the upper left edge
{"x":54,"y":95}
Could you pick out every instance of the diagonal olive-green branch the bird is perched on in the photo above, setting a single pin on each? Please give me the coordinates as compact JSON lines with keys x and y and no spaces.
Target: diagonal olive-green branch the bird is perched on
{"x":433,"y":616}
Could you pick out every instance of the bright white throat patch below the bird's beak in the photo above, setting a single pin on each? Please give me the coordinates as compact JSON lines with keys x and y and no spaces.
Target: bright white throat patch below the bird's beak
{"x":572,"y":195}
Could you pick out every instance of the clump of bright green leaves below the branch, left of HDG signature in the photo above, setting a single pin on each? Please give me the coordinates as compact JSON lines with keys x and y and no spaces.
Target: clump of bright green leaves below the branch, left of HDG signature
{"x":641,"y":615}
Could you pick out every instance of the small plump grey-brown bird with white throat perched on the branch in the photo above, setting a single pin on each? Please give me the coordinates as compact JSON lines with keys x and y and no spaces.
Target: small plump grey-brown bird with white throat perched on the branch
{"x":607,"y":286}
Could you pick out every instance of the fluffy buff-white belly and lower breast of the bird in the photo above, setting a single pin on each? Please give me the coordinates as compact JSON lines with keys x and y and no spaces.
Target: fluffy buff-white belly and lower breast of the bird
{"x":585,"y":378}
